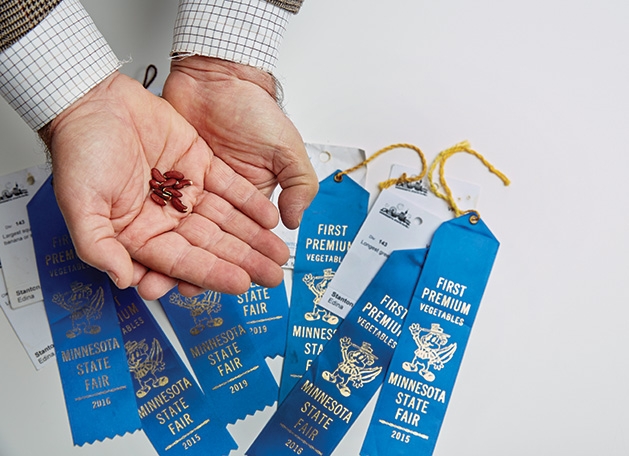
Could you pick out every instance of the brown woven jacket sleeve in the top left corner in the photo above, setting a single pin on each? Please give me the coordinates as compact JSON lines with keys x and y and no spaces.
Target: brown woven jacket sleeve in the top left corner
{"x":18,"y":17}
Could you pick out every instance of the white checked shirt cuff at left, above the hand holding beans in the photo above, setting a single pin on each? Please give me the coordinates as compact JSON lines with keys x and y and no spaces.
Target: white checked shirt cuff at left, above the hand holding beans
{"x":55,"y":64}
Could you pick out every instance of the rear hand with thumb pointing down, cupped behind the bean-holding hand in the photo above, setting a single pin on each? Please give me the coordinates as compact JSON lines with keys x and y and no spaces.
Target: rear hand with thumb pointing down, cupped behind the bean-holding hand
{"x":233,"y":107}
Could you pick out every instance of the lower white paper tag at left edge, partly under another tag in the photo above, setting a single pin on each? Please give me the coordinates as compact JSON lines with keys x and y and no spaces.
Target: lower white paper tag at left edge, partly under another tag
{"x":31,"y":327}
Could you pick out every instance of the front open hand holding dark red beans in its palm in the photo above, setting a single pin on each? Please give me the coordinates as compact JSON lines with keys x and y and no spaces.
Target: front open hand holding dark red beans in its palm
{"x":103,"y":148}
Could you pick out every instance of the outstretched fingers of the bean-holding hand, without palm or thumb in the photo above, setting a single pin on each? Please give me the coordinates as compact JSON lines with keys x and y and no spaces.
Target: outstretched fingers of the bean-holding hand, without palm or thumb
{"x":203,"y":254}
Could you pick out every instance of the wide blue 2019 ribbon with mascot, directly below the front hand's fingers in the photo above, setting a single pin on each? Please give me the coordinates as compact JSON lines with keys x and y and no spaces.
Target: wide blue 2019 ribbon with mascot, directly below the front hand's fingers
{"x":221,"y":352}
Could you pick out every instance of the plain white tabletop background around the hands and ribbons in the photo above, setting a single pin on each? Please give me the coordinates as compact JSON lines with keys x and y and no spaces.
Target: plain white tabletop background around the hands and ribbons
{"x":541,"y":89}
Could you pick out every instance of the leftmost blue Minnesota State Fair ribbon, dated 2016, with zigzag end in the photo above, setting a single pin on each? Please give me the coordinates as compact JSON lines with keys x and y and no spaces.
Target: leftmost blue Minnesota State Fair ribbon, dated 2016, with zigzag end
{"x":90,"y":351}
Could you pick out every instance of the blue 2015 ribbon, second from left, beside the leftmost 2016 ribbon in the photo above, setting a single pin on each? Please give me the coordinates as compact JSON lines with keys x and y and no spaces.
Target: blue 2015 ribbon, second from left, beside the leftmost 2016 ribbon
{"x":176,"y":416}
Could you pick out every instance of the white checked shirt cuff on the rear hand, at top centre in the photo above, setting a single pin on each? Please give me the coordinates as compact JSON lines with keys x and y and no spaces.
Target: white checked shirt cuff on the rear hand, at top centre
{"x":242,"y":31}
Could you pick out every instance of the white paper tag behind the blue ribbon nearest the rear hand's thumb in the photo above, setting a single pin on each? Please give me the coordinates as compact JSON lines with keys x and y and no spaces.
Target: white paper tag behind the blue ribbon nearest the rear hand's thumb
{"x":325,"y":160}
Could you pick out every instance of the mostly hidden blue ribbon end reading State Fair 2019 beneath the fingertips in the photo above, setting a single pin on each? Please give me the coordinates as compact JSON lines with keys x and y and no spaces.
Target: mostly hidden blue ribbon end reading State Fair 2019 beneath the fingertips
{"x":264,"y":311}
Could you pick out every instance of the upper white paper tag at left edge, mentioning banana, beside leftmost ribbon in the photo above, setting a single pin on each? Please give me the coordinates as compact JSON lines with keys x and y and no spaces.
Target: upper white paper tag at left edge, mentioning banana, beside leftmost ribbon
{"x":16,"y":246}
